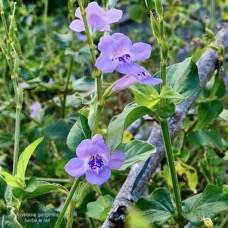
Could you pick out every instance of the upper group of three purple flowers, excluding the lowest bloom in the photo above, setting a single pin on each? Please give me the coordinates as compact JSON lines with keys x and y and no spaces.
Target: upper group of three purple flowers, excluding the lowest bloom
{"x":118,"y":51}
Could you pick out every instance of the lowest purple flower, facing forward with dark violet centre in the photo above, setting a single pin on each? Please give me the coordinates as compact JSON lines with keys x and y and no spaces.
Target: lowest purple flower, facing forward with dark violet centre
{"x":94,"y":160}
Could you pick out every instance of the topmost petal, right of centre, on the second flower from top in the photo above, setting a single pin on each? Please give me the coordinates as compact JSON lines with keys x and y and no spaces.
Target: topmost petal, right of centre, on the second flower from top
{"x":123,"y":42}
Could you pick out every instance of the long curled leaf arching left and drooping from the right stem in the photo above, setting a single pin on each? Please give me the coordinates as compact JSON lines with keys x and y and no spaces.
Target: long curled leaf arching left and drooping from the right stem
{"x":120,"y":122}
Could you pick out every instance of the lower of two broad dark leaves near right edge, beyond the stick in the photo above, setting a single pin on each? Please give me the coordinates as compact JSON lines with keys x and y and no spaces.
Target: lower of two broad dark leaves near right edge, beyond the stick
{"x":208,"y":136}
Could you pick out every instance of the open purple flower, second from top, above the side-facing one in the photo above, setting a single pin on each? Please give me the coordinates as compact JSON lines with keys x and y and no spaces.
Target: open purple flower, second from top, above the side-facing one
{"x":119,"y":54}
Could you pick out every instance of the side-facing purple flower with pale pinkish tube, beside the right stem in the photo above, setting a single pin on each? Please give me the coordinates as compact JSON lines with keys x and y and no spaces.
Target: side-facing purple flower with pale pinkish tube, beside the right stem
{"x":139,"y":75}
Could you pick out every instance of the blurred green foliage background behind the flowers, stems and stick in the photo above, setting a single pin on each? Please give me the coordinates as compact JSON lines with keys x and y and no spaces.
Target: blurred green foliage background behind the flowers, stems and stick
{"x":57,"y":80}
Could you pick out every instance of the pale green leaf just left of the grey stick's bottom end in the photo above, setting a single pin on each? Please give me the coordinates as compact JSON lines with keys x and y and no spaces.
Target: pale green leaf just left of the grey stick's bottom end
{"x":96,"y":209}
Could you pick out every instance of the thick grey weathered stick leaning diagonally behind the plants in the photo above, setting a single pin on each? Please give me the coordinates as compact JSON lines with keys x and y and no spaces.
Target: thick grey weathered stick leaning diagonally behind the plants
{"x":136,"y":183}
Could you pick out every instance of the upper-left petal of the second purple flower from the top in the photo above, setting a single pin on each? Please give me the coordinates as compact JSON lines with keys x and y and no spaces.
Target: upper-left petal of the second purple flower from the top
{"x":107,"y":46}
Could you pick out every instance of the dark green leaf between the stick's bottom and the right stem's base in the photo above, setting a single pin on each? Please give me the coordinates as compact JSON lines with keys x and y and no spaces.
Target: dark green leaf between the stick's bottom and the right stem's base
{"x":157,"y":207}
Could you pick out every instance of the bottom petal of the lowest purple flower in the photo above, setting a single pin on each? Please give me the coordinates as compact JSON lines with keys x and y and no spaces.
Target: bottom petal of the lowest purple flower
{"x":98,"y":179}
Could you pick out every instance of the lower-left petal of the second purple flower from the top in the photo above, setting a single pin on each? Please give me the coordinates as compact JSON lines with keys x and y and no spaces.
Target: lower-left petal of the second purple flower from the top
{"x":105,"y":64}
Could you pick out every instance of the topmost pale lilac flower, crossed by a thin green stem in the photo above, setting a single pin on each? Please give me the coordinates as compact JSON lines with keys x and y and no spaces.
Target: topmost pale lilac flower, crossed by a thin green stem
{"x":98,"y":19}
